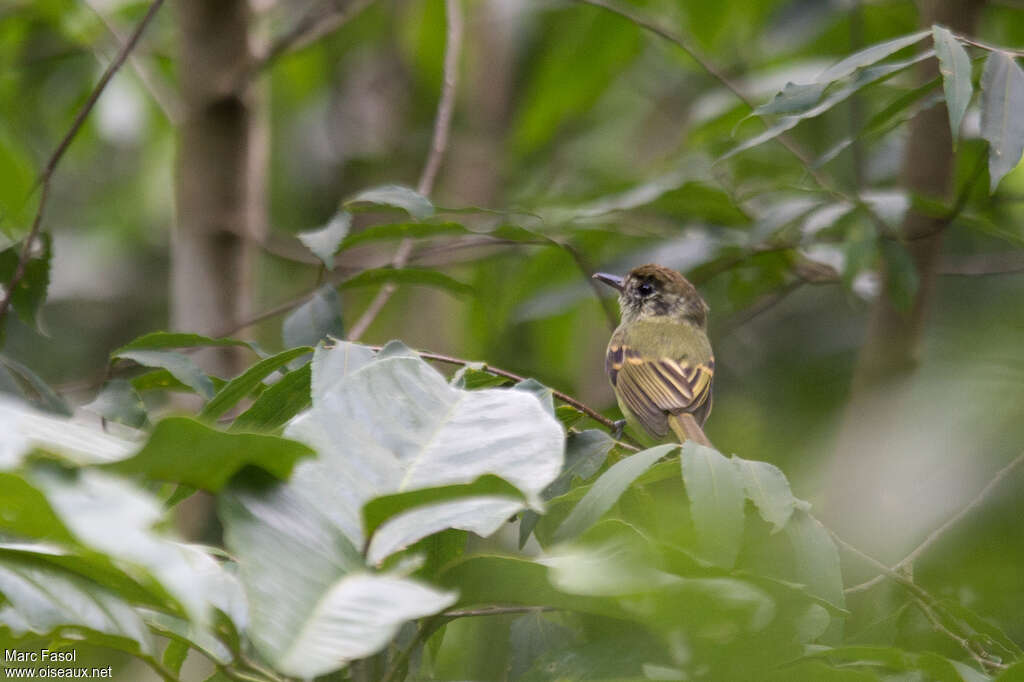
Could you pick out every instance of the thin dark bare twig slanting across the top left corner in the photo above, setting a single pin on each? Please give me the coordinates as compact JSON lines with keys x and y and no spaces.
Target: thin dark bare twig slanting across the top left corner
{"x":45,"y":180}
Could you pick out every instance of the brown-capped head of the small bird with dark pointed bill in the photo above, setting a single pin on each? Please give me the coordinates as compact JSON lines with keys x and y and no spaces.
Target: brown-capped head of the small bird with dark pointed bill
{"x":655,"y":291}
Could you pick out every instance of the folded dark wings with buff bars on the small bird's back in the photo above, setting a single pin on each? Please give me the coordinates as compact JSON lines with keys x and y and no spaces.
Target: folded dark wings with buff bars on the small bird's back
{"x":655,"y":388}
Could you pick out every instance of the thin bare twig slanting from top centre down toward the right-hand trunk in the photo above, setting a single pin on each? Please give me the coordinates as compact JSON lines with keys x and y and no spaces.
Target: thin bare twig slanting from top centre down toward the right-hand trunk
{"x":695,"y":54}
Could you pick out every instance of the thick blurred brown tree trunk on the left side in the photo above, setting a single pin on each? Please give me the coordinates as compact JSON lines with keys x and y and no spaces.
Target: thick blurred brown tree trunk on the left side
{"x":210,"y":266}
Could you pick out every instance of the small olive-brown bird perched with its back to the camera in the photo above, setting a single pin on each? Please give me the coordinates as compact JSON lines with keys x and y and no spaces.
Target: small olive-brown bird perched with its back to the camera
{"x":660,"y":360}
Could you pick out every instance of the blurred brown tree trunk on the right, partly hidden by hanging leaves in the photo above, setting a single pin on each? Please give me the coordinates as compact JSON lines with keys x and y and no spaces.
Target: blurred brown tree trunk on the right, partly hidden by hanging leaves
{"x":889,"y":355}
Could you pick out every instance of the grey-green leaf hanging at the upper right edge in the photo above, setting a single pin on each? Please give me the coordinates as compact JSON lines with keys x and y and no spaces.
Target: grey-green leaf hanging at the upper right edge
{"x":1002,"y":125}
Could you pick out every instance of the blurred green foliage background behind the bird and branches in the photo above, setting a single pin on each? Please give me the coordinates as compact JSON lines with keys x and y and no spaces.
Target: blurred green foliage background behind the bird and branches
{"x":581,"y":126}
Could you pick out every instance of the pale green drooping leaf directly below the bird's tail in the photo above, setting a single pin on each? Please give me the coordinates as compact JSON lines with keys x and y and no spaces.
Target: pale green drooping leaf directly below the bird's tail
{"x":715,"y":488}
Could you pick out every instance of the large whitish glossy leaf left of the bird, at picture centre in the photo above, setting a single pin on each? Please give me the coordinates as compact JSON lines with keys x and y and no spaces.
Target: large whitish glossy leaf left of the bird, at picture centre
{"x":396,"y":425}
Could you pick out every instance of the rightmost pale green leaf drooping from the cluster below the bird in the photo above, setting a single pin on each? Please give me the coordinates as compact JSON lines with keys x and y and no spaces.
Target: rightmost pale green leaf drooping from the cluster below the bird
{"x":816,"y":559}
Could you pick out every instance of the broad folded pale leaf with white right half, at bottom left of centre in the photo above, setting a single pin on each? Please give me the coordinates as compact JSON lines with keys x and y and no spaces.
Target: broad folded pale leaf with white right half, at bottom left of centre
{"x":311,"y":622}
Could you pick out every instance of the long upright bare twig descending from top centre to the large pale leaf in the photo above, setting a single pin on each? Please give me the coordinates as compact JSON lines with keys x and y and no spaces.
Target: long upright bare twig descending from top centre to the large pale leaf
{"x":443,"y":123}
